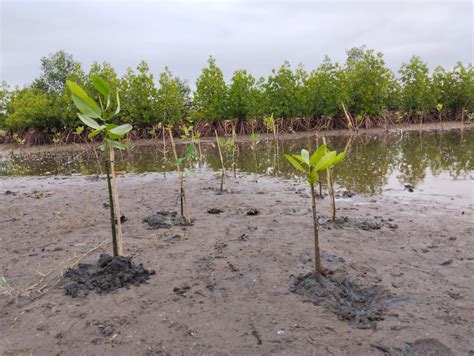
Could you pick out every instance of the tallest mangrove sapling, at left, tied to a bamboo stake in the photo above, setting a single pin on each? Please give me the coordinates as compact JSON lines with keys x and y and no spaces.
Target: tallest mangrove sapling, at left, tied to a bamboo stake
{"x":89,"y":112}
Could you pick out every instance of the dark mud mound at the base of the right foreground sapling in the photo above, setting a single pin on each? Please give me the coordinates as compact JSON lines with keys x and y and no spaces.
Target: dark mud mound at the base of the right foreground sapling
{"x":361,"y":307}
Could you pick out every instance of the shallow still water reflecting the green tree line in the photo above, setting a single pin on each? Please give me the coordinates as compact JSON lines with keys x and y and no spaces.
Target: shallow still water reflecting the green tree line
{"x":371,"y":164}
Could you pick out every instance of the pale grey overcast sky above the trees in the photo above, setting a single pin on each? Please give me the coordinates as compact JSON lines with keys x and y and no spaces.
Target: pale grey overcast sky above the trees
{"x":255,"y":35}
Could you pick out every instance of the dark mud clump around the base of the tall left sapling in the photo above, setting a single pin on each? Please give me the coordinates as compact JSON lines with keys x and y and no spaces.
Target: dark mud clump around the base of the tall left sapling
{"x":107,"y":275}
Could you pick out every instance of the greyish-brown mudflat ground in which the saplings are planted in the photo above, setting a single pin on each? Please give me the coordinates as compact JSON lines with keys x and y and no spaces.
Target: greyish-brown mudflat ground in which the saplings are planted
{"x":222,"y":285}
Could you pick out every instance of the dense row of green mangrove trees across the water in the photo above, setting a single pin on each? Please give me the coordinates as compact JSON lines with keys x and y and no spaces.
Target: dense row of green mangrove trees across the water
{"x":362,"y":86}
